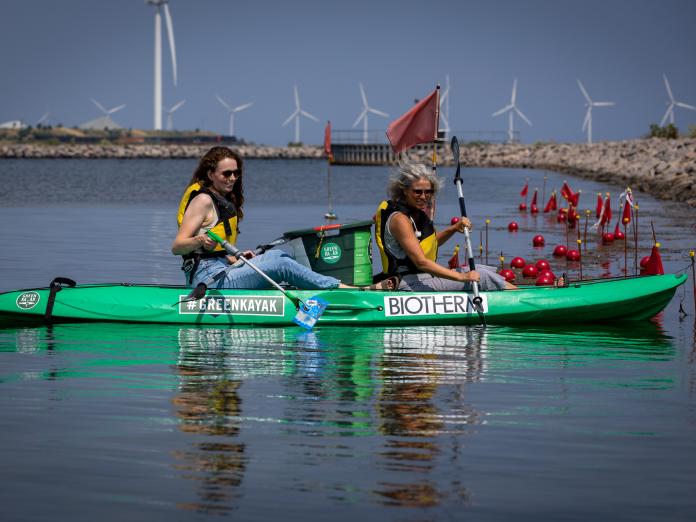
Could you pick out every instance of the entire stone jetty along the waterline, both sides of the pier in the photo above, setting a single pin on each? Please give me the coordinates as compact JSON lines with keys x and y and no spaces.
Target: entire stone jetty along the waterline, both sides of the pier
{"x":663,"y":168}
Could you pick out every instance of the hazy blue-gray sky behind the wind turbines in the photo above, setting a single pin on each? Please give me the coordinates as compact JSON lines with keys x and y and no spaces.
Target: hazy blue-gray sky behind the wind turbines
{"x":57,"y":54}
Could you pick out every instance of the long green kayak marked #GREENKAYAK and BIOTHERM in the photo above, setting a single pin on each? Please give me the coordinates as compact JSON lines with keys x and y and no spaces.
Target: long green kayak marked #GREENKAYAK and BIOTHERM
{"x":629,"y":299}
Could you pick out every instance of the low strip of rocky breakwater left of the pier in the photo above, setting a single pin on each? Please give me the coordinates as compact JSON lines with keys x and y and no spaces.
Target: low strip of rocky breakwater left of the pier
{"x":135,"y":151}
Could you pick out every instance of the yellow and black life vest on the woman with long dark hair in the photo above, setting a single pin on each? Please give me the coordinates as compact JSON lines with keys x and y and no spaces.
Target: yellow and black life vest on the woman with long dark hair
{"x":226,"y":225}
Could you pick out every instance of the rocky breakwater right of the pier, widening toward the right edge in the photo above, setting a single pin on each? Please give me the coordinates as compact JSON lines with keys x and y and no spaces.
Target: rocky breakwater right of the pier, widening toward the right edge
{"x":666,"y":169}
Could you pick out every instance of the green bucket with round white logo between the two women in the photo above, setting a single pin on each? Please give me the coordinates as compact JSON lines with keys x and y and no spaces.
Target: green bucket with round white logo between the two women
{"x":340,"y":251}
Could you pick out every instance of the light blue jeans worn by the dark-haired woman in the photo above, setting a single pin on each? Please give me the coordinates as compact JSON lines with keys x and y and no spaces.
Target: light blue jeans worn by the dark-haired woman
{"x":278,"y":265}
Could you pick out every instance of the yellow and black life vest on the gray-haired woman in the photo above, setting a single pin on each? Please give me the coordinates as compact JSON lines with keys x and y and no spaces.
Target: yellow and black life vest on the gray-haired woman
{"x":423,"y":228}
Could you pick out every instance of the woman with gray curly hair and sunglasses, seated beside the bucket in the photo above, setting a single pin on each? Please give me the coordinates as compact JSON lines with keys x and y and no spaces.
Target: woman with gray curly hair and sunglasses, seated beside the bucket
{"x":408,"y":241}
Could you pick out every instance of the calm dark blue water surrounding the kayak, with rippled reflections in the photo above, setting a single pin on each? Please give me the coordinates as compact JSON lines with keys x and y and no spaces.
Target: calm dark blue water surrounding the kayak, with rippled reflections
{"x":149,"y":422}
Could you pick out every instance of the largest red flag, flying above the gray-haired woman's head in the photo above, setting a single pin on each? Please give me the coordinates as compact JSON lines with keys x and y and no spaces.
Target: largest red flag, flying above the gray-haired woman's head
{"x":418,"y":125}
